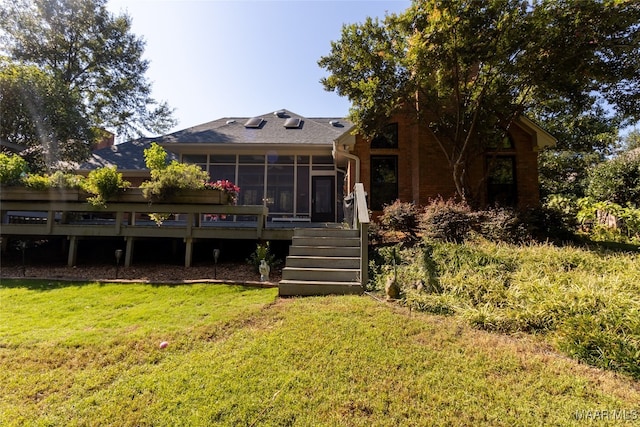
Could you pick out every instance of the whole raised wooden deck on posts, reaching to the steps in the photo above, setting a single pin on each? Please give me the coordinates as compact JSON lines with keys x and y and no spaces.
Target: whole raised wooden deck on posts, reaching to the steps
{"x":190,"y":222}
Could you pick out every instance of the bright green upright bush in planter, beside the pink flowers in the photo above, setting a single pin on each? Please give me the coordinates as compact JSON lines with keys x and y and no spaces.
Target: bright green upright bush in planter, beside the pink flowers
{"x":167,"y":179}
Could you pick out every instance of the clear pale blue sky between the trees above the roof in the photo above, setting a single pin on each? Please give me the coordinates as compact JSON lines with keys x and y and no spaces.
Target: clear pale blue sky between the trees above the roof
{"x":211,"y":59}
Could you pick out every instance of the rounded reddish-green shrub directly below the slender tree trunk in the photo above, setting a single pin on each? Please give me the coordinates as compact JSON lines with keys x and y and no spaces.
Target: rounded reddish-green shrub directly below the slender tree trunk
{"x":448,"y":220}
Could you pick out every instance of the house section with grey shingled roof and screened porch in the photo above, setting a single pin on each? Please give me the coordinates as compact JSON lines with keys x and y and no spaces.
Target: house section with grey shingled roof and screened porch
{"x":279,"y":159}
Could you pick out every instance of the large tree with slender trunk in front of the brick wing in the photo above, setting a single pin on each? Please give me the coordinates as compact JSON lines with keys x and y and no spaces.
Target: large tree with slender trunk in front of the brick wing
{"x":469,"y":69}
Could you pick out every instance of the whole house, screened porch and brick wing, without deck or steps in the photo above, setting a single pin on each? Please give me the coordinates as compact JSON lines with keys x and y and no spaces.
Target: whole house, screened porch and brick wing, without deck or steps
{"x":301,"y":168}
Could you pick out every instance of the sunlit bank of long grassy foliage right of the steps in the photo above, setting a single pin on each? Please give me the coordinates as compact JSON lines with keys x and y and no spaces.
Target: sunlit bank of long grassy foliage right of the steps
{"x":584,"y":302}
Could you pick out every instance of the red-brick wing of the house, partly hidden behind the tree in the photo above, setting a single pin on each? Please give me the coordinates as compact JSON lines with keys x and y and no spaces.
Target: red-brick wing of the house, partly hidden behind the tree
{"x":406,"y":163}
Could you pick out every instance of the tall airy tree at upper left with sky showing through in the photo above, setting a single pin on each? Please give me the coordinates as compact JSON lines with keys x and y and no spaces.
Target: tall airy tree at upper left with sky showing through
{"x":92,"y":52}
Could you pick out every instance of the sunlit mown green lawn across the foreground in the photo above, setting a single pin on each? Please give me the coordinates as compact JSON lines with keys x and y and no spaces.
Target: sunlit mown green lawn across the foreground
{"x":87,"y":354}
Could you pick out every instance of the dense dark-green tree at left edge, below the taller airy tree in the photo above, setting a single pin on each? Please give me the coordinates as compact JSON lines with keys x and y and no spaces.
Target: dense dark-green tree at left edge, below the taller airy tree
{"x":41,"y":119}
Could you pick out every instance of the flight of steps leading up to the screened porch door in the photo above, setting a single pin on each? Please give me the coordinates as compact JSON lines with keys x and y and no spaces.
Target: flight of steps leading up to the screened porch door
{"x":322,"y":262}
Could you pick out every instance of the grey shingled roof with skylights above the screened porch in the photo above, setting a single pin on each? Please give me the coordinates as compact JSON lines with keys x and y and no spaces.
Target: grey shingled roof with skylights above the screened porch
{"x":229,"y":130}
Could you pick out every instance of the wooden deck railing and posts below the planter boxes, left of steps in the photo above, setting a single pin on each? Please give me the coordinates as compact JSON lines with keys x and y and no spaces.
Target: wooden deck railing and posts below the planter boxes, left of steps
{"x":120,"y":219}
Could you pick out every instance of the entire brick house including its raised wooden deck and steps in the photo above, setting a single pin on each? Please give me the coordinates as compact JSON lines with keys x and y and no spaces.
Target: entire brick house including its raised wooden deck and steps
{"x":300,"y":169}
